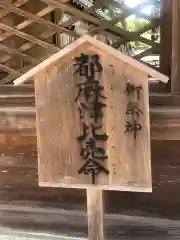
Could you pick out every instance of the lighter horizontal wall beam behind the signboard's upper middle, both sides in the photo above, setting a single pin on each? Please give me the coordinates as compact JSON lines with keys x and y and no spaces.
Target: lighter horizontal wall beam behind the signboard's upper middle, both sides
{"x":165,"y":124}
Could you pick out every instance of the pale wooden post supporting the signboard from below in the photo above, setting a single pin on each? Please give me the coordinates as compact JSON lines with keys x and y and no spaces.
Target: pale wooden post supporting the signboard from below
{"x":95,"y":212}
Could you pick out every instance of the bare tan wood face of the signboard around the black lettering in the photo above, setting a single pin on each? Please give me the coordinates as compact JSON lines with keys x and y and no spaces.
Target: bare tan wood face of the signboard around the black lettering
{"x":129,"y":160}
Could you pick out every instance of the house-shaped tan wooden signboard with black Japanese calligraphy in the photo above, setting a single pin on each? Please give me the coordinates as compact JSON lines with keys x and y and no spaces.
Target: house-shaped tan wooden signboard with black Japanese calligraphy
{"x":92,"y":115}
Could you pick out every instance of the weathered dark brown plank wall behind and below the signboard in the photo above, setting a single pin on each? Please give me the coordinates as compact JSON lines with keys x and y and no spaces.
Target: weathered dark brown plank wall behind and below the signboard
{"x":24,"y":205}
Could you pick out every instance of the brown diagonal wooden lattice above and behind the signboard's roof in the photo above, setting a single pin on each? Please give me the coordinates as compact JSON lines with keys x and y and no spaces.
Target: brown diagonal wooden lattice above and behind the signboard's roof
{"x":33,"y":30}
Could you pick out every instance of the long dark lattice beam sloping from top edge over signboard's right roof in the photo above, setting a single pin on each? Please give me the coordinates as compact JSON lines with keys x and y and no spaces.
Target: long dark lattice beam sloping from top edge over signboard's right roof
{"x":105,"y":24}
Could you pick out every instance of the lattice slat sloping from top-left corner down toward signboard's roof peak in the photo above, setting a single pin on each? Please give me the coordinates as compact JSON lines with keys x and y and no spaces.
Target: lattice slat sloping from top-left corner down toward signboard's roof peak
{"x":36,"y":18}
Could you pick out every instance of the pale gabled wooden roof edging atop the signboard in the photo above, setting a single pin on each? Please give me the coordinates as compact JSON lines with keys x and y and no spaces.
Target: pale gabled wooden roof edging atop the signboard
{"x":80,"y":46}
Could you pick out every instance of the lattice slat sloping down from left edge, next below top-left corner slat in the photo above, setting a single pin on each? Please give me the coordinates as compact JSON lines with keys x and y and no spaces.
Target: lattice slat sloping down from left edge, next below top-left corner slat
{"x":29,"y":37}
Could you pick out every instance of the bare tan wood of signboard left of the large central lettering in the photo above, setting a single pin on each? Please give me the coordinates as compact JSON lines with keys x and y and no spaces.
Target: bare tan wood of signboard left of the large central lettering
{"x":60,"y":161}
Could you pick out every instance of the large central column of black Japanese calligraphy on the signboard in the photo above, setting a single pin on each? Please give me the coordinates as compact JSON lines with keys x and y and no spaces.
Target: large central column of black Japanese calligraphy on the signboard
{"x":90,"y":101}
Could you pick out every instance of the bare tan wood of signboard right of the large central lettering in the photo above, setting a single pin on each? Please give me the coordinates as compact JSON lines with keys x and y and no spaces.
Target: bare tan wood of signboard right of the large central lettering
{"x":131,"y":159}
